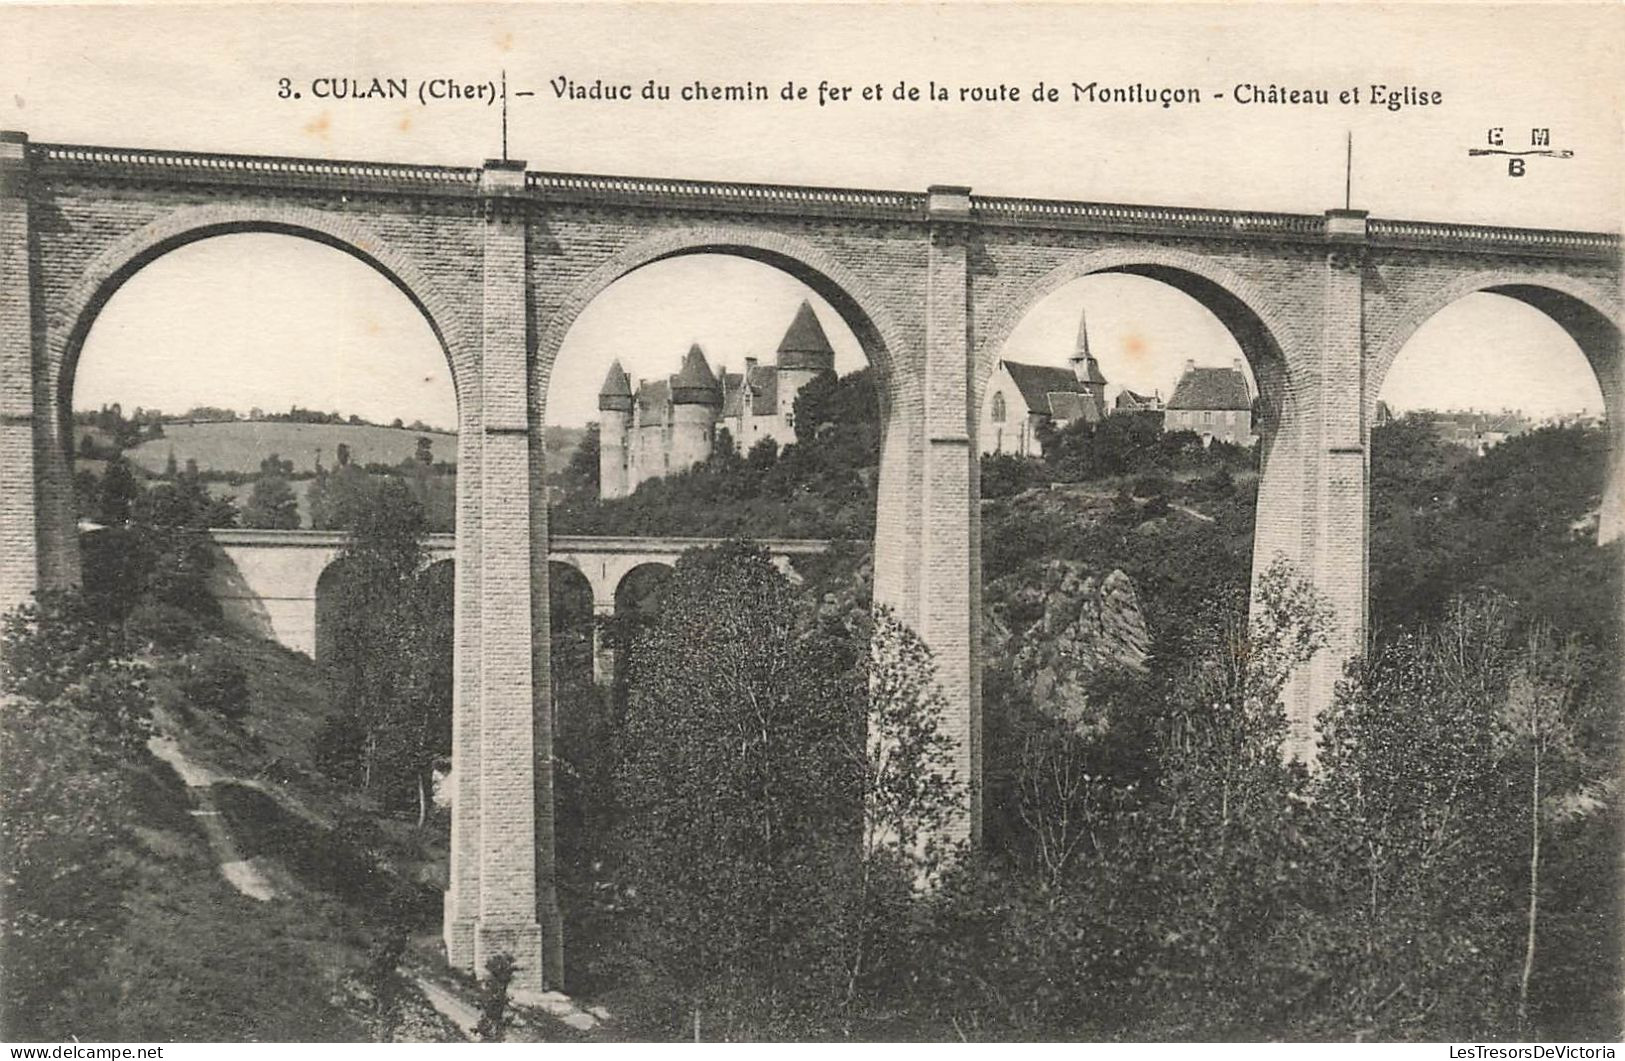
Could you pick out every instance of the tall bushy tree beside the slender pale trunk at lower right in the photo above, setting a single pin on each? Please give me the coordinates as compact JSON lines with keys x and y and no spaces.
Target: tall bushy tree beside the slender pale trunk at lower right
{"x":1416,"y":855}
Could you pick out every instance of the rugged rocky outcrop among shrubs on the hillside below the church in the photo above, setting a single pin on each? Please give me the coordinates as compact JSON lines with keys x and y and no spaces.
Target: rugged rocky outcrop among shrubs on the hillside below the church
{"x":1062,"y":630}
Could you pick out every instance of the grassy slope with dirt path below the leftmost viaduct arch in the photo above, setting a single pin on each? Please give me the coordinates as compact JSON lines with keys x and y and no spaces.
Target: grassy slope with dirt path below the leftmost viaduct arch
{"x":199,"y":961}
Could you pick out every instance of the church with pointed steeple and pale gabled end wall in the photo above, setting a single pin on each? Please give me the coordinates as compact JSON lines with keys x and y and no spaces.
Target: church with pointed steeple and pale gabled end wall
{"x":1021,"y":397}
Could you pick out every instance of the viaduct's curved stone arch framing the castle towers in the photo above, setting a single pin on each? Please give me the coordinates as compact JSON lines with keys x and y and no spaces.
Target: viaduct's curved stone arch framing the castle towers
{"x":856,"y":300}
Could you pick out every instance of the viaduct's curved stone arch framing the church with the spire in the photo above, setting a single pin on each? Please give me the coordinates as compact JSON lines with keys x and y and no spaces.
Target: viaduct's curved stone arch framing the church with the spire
{"x":1239,"y":305}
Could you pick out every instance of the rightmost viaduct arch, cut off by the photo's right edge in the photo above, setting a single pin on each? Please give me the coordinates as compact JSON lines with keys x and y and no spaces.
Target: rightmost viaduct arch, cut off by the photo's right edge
{"x":1590,"y":316}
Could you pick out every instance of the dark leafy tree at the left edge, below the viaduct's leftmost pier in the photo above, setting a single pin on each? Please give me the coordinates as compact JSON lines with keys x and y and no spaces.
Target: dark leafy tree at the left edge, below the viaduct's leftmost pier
{"x":74,"y":729}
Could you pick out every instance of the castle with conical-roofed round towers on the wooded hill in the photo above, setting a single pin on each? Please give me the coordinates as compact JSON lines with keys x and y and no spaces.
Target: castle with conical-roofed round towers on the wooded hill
{"x":670,"y":425}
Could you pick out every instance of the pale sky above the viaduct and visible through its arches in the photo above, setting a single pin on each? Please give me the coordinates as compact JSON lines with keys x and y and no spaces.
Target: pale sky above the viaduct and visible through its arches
{"x":301,"y":326}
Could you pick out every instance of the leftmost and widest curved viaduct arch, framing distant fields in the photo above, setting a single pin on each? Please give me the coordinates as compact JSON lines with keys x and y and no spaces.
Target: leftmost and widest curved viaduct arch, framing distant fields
{"x":71,"y":319}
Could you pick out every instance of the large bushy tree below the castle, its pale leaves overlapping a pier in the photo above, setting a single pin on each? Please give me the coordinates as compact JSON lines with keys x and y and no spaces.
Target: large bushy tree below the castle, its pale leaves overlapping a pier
{"x":743,"y":781}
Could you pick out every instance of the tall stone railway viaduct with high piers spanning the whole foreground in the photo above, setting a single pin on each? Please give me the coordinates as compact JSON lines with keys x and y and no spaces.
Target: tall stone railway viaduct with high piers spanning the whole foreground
{"x":501,"y":261}
